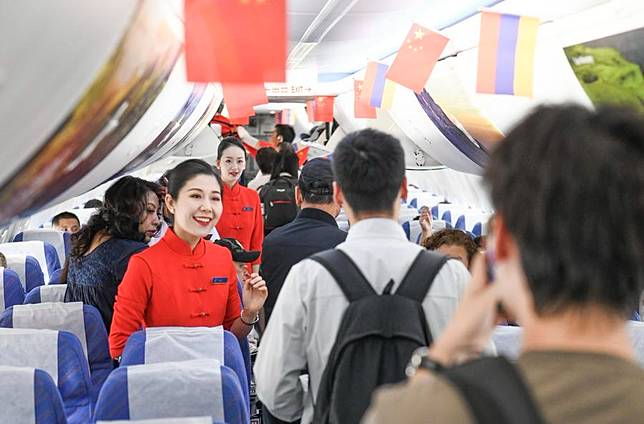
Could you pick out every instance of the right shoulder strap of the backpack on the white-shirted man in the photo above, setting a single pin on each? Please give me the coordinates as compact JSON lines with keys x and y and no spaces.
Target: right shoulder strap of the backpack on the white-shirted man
{"x":421,"y":275}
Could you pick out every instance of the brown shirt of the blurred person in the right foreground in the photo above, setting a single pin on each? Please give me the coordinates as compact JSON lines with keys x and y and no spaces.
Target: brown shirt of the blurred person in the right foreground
{"x":569,"y":387}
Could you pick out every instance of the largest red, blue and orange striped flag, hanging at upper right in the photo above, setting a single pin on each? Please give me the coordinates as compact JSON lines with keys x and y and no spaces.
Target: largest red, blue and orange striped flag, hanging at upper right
{"x":506,"y":54}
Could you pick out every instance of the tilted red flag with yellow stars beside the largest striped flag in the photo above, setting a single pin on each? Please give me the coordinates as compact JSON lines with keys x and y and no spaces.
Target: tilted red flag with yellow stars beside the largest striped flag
{"x":416,"y":58}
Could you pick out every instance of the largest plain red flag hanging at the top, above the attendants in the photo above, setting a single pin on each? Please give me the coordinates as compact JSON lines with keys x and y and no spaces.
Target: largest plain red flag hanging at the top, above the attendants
{"x":238,"y":41}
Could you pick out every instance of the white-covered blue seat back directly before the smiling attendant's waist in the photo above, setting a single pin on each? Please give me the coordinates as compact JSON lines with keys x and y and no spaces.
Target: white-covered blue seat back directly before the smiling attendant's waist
{"x":174,"y":344}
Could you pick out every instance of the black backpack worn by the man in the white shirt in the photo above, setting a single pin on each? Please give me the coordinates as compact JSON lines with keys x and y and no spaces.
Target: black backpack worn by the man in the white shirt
{"x":377,"y":335}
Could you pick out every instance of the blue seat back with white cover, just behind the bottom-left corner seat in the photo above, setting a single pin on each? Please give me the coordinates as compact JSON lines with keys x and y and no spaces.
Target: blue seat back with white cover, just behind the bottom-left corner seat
{"x":59,"y":354}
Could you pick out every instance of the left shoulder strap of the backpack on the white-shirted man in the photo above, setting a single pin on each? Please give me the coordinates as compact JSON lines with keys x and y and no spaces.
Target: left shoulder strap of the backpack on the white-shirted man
{"x":346,"y":273}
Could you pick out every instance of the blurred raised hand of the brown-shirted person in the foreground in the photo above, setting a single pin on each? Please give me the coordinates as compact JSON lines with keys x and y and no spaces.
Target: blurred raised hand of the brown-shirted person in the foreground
{"x":470,"y":329}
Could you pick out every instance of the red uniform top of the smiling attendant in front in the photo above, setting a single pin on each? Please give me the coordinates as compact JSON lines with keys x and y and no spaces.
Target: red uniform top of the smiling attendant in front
{"x":169,"y":284}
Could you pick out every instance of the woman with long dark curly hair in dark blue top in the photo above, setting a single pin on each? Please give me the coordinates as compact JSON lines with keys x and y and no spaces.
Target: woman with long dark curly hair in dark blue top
{"x":102,"y":249}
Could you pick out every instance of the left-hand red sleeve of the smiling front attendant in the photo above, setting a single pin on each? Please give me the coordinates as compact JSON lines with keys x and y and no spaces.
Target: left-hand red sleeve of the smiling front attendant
{"x":131,"y":303}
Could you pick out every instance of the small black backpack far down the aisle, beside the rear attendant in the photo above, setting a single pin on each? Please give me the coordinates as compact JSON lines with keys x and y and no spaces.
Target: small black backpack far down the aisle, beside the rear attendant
{"x":278,"y":201}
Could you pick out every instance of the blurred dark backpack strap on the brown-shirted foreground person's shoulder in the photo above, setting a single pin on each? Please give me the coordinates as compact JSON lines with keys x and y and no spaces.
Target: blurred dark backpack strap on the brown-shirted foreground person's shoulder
{"x":495,"y":392}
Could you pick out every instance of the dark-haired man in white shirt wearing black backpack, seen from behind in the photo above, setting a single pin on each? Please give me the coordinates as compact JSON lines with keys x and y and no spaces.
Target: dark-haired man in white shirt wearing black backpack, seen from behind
{"x":401,"y":296}
